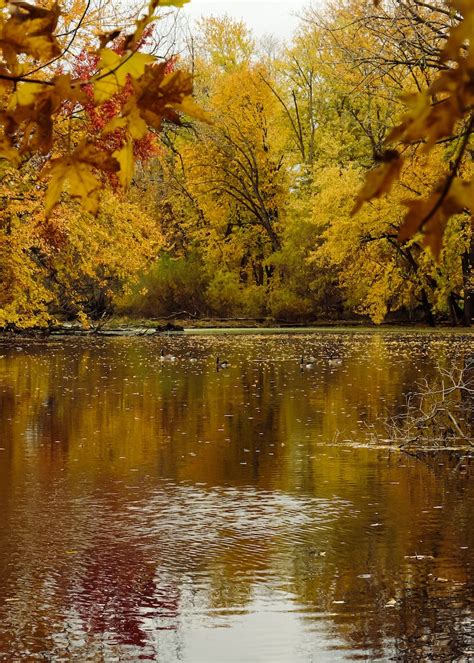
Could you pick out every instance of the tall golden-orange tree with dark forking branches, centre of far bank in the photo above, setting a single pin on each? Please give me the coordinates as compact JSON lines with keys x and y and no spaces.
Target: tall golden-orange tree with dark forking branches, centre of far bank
{"x":226,"y":182}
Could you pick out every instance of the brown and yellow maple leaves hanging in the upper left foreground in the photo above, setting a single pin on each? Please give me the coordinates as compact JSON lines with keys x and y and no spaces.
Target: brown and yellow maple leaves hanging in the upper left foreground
{"x":42,"y":108}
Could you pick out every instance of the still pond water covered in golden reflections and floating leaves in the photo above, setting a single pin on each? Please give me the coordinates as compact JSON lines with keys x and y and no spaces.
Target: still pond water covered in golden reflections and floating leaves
{"x":169,"y":511}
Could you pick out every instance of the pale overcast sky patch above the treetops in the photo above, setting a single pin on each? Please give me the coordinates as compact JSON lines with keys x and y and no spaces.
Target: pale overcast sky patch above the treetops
{"x":273,"y":17}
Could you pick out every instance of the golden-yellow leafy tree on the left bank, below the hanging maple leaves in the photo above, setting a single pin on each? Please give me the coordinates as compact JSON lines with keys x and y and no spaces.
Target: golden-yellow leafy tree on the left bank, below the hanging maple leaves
{"x":70,"y":263}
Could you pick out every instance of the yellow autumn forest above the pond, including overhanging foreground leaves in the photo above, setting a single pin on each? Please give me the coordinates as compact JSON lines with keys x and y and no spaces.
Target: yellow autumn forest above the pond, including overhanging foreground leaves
{"x":237,"y":202}
